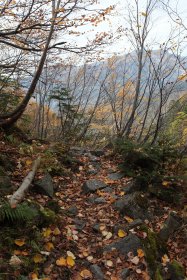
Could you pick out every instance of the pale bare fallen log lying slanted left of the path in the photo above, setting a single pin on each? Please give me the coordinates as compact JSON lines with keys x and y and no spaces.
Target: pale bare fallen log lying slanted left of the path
{"x":20,"y":193}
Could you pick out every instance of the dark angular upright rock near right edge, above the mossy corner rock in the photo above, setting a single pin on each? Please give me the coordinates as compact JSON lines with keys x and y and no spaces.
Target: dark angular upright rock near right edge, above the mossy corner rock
{"x":172,"y":223}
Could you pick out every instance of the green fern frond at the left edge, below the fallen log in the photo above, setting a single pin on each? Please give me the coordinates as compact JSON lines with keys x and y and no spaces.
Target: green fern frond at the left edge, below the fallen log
{"x":23,"y":212}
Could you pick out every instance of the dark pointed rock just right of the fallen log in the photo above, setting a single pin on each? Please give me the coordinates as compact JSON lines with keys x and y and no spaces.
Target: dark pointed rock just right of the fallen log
{"x":45,"y":185}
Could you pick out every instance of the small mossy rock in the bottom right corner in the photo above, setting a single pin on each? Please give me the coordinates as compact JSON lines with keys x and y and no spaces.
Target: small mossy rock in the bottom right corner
{"x":176,"y":271}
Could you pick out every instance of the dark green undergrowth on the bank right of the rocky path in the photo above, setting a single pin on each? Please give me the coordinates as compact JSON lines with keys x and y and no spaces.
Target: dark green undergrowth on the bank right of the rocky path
{"x":155,"y":168}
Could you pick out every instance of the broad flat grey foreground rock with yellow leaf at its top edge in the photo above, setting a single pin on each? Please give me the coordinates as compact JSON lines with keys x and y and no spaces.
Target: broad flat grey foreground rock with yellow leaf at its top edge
{"x":130,"y":243}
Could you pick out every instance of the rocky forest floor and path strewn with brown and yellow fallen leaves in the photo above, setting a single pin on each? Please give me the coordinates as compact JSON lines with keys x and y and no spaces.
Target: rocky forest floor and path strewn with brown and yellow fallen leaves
{"x":101,"y":225}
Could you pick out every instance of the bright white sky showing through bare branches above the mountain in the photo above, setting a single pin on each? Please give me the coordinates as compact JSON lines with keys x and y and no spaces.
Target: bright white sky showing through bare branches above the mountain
{"x":161,"y":24}
